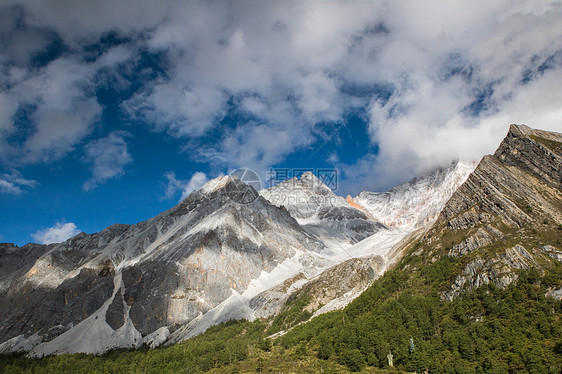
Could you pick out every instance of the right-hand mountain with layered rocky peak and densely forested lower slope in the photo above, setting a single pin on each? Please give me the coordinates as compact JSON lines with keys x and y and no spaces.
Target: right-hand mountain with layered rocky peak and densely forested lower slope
{"x":479,"y":291}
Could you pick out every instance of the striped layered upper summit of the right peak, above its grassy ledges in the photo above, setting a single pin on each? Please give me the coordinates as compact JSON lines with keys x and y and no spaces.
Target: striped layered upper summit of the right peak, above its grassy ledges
{"x":520,"y":182}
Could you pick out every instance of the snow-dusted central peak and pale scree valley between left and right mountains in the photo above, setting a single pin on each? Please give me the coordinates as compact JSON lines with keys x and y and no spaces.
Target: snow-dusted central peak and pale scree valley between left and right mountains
{"x":360,"y":247}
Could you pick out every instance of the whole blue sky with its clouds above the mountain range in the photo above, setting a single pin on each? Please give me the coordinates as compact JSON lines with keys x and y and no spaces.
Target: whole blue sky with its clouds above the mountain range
{"x":110,"y":111}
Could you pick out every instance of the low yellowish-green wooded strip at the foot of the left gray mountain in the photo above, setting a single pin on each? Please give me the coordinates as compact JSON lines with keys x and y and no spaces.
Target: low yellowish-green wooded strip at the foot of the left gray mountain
{"x":219,"y":346}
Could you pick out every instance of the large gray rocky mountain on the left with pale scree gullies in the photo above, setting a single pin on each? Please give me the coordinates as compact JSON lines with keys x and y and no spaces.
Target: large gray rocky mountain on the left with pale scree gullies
{"x":132,"y":284}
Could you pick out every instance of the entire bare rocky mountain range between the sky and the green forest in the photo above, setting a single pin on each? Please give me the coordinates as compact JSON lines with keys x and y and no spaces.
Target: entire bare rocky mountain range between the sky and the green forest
{"x":226,"y":252}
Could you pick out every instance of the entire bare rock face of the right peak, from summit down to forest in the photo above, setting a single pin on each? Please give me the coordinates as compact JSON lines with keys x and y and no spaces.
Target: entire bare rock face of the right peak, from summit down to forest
{"x":511,"y":202}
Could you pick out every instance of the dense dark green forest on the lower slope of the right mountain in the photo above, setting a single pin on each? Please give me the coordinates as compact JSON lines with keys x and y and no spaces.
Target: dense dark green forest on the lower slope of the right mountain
{"x":487,"y":330}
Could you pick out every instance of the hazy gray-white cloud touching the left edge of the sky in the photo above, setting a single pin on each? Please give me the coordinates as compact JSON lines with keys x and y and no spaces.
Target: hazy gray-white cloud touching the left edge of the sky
{"x":59,"y":101}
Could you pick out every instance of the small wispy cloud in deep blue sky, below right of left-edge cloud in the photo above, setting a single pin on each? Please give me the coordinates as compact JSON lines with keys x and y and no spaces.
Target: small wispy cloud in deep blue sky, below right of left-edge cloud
{"x":108,"y":158}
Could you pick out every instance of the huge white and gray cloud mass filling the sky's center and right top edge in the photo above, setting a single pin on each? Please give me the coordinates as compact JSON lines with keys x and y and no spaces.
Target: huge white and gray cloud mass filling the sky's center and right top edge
{"x":453,"y":72}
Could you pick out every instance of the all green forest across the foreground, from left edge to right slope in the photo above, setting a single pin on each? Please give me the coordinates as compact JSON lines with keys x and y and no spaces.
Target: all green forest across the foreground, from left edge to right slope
{"x":487,"y":330}
